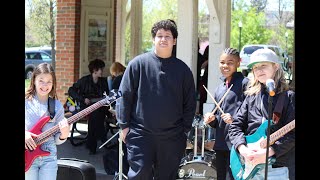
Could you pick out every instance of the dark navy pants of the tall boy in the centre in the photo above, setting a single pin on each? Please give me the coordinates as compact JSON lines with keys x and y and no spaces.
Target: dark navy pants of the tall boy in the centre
{"x":154,"y":157}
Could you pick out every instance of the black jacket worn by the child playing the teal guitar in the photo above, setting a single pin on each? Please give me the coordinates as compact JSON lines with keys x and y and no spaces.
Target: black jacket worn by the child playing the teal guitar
{"x":249,"y":118}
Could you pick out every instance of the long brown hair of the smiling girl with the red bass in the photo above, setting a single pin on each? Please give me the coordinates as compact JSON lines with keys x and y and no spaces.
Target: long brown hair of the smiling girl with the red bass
{"x":43,"y":68}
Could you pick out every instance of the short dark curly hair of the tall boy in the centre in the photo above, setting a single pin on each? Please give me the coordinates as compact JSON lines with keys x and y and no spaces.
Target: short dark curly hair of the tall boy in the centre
{"x":167,"y":24}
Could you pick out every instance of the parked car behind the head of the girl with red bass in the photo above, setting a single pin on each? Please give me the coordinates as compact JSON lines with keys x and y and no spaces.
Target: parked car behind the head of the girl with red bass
{"x":34,"y":58}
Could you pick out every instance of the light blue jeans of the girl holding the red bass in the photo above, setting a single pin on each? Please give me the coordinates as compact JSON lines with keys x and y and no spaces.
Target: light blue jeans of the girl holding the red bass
{"x":43,"y":168}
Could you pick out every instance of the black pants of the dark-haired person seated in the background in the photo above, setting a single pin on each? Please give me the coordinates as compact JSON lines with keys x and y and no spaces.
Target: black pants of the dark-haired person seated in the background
{"x":96,"y":128}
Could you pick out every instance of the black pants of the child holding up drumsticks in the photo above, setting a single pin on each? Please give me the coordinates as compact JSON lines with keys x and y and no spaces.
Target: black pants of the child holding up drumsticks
{"x":223,"y":165}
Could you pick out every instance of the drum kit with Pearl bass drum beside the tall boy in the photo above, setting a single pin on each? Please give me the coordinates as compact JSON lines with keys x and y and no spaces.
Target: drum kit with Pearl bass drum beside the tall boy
{"x":200,"y":159}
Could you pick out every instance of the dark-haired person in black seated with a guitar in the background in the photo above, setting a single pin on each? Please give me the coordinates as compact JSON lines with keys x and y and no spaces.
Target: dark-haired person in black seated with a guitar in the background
{"x":88,"y":90}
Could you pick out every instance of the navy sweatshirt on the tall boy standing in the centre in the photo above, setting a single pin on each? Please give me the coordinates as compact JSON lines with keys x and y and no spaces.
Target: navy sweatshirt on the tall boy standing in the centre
{"x":158,"y":96}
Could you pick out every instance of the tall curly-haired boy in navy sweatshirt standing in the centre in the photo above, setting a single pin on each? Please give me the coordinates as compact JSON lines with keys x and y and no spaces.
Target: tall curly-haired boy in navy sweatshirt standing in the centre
{"x":157,"y":107}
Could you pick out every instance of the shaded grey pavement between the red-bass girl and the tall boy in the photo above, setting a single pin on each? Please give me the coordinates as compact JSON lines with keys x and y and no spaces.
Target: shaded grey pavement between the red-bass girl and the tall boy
{"x":67,"y":150}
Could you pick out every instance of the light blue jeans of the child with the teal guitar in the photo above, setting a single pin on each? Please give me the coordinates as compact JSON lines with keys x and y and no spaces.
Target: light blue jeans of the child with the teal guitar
{"x":280,"y":173}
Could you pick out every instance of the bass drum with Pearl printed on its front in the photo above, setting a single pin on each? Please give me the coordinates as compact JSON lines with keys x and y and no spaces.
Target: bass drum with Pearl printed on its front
{"x":197,"y":167}
